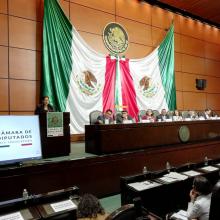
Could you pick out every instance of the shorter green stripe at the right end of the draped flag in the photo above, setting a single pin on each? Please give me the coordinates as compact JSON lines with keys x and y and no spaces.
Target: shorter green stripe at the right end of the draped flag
{"x":166,"y":65}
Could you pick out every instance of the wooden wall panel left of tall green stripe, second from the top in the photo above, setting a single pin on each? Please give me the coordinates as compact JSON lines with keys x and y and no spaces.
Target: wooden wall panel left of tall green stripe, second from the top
{"x":22,"y":33}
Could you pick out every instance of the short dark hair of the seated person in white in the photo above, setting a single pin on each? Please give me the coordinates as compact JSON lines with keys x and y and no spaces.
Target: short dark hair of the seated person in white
{"x":202,"y":185}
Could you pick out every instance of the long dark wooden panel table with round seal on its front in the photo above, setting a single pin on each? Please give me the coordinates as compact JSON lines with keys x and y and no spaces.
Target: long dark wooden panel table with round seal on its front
{"x":105,"y":139}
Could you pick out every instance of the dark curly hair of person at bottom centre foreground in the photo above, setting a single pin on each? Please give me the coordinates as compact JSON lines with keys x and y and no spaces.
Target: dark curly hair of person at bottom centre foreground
{"x":89,"y":207}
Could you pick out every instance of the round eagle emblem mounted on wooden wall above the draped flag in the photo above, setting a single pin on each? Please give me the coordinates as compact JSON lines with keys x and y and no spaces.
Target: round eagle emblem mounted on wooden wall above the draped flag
{"x":115,"y":38}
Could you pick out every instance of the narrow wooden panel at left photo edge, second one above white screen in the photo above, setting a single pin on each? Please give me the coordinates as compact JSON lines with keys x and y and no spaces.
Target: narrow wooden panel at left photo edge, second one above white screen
{"x":3,"y":62}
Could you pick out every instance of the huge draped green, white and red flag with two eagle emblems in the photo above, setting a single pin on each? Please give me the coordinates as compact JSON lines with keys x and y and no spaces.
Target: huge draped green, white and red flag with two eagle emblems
{"x":80,"y":80}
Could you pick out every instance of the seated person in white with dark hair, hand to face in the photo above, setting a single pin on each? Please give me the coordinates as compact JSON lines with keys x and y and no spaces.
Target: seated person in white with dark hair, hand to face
{"x":200,"y":199}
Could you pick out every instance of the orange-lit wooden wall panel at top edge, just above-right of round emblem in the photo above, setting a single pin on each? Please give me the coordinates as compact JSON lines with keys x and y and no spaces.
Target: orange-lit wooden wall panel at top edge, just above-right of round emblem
{"x":134,"y":10}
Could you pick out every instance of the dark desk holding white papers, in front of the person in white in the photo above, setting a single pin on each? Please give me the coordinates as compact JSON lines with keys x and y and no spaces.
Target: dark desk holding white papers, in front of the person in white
{"x":165,"y":198}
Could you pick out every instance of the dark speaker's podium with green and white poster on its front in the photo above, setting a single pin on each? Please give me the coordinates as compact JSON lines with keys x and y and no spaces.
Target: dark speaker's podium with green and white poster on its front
{"x":55,"y":145}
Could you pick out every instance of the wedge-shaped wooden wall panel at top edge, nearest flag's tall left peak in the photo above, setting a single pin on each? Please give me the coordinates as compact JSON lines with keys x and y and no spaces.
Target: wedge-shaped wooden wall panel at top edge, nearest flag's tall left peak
{"x":103,"y":5}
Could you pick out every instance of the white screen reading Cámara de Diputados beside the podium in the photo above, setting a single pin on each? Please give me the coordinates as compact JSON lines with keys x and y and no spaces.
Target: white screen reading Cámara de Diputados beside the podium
{"x":19,"y":138}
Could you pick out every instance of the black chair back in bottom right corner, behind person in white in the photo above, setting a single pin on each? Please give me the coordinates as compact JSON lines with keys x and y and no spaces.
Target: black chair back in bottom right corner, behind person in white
{"x":214,"y":213}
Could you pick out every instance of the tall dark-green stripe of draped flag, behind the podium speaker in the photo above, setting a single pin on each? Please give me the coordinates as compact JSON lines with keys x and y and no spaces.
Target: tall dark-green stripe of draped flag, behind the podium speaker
{"x":57,"y":61}
